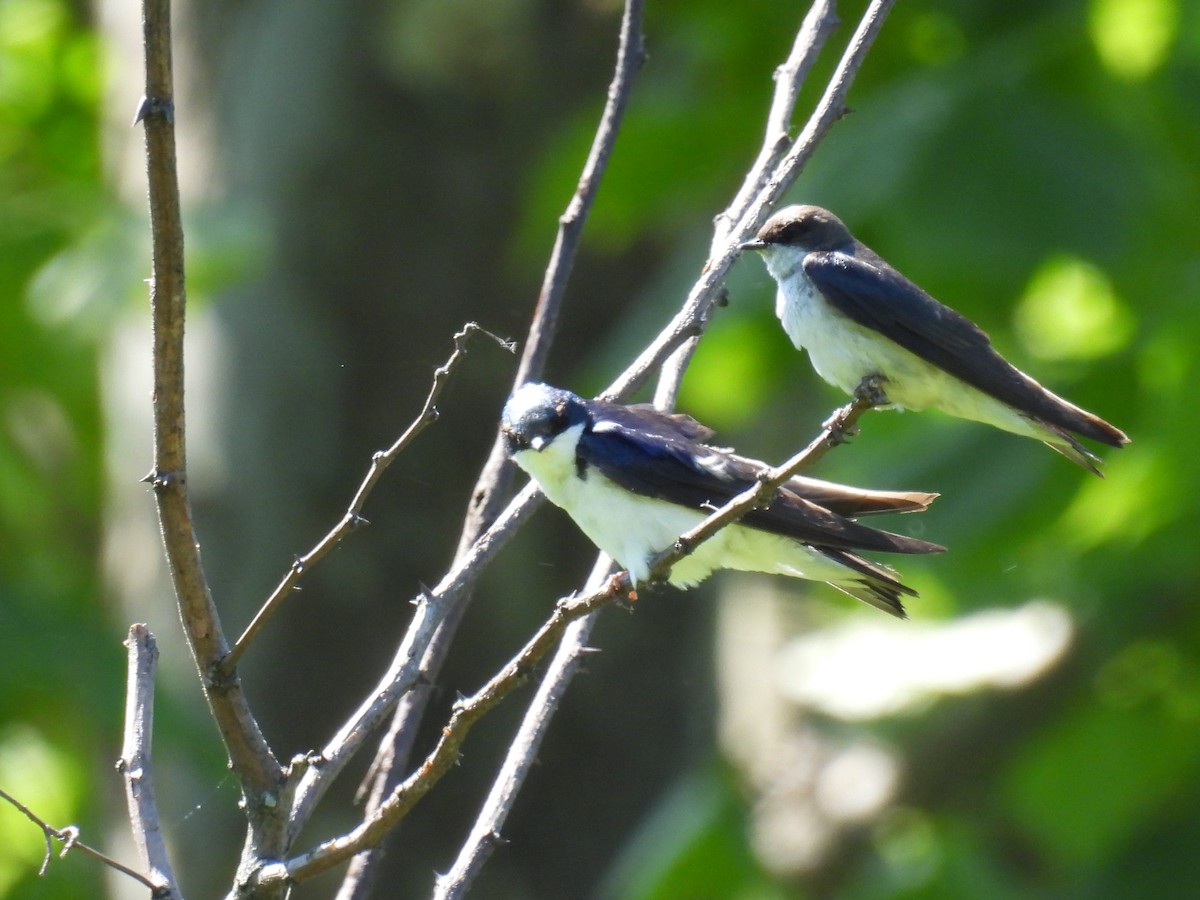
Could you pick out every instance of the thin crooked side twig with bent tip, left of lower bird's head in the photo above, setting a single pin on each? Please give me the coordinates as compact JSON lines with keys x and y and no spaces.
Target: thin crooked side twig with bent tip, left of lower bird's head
{"x":353,"y":518}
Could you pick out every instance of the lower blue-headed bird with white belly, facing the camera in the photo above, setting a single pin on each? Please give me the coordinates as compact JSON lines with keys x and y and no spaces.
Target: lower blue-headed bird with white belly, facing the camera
{"x":635,"y":479}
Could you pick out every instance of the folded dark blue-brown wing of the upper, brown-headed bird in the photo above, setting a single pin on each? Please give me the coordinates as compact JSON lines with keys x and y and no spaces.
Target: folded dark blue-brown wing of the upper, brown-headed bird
{"x":874,"y":295}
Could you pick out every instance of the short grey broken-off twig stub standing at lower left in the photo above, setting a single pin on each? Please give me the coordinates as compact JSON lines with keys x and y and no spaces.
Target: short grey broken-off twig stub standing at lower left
{"x":135,"y":763}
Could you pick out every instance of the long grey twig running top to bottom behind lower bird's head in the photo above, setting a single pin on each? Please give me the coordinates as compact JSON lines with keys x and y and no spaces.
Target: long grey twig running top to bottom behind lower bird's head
{"x":496,"y":475}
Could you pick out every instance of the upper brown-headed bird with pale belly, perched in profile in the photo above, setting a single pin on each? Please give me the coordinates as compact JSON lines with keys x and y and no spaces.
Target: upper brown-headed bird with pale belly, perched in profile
{"x":868,"y":328}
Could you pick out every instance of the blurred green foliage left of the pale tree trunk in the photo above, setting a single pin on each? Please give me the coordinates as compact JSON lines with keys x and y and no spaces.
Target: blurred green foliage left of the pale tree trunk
{"x":61,"y":692}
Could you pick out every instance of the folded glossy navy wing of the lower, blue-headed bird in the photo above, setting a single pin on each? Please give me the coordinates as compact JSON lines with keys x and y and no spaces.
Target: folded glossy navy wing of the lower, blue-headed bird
{"x":667,"y":465}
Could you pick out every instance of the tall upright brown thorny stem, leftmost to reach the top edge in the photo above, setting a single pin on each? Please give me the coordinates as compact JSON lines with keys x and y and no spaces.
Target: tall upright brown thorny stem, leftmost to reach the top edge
{"x":250,"y":757}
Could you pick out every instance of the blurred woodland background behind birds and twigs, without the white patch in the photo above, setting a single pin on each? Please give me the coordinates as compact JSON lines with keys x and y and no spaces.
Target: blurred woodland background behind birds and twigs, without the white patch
{"x":362,"y":179}
